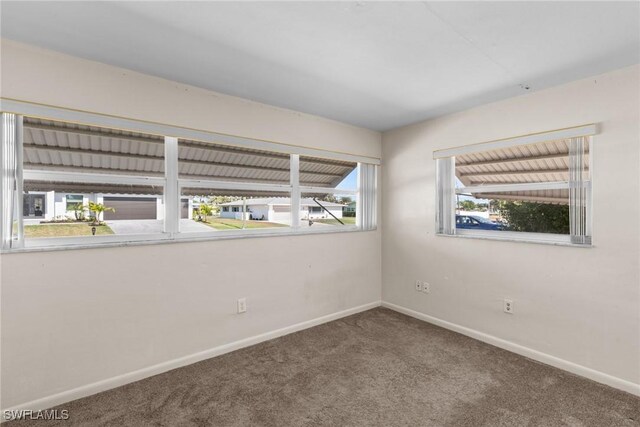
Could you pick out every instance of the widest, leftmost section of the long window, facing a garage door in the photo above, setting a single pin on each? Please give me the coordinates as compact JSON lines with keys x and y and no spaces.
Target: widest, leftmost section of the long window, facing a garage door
{"x":82,"y":181}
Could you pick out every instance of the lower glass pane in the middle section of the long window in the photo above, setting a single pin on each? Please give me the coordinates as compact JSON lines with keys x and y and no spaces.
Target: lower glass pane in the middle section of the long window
{"x":207,"y":210}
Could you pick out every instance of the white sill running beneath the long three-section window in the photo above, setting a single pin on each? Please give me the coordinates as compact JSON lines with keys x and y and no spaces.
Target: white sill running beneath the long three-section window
{"x":75,"y":243}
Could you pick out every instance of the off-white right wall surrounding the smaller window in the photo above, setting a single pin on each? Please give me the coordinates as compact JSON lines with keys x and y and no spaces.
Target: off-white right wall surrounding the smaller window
{"x":580,"y":305}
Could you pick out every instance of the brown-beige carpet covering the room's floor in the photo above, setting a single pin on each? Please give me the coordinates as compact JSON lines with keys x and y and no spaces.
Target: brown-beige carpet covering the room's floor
{"x":377,"y":368}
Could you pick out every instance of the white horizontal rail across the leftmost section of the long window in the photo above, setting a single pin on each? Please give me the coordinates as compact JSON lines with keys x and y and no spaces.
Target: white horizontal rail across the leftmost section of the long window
{"x":92,"y":178}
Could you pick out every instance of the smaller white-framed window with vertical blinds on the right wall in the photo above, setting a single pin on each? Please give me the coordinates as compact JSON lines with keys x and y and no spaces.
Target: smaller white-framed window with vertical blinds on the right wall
{"x":532,"y":188}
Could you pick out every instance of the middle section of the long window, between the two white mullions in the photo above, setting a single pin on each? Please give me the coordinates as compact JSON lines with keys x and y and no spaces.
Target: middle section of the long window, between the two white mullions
{"x":234,"y":189}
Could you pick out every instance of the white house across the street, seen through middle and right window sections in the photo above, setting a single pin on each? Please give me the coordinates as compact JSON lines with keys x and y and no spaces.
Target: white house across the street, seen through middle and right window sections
{"x":278,"y":209}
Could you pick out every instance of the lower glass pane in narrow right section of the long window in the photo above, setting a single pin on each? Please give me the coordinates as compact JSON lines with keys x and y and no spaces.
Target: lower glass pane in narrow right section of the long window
{"x":325,"y":210}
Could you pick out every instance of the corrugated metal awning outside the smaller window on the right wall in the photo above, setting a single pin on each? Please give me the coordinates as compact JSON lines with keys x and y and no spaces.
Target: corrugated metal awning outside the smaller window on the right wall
{"x":541,"y":162}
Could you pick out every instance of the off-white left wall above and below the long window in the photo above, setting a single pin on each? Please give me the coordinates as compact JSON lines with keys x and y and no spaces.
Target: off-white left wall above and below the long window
{"x":74,"y":318}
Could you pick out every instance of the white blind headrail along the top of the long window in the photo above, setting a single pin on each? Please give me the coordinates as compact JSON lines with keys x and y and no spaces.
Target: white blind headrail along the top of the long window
{"x":100,"y":120}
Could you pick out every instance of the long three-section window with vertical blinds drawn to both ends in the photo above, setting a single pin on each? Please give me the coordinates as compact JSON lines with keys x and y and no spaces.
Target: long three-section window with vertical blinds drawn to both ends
{"x":105,"y":180}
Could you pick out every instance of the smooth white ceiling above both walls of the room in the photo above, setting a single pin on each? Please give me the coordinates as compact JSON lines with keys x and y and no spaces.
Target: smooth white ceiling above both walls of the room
{"x":378,"y":65}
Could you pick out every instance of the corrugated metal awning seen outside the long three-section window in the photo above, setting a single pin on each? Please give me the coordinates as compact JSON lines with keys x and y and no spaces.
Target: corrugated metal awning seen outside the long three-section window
{"x":68,"y":147}
